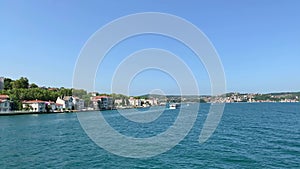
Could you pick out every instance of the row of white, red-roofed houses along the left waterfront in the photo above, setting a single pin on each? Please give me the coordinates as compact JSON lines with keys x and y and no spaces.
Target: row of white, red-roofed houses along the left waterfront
{"x":68,"y":103}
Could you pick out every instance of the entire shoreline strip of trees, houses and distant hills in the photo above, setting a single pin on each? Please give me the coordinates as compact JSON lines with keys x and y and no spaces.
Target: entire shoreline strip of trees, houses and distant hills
{"x":21,"y":96}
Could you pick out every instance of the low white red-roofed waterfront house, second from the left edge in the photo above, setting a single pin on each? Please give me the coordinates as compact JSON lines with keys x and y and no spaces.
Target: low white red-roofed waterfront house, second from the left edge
{"x":34,"y":105}
